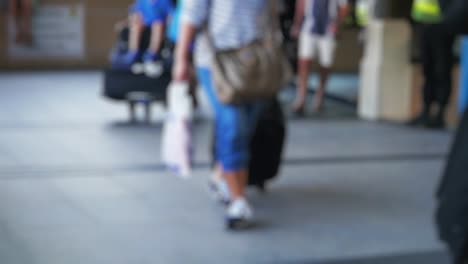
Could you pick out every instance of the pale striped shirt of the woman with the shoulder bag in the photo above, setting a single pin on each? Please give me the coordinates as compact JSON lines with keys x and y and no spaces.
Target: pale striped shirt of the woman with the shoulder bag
{"x":231,"y":23}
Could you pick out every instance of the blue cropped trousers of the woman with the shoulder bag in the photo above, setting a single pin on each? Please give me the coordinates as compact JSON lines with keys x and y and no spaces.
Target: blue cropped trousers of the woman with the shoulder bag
{"x":234,"y":127}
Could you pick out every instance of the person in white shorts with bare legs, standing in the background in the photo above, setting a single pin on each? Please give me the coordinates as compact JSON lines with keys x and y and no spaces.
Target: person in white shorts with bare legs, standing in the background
{"x":316,"y":24}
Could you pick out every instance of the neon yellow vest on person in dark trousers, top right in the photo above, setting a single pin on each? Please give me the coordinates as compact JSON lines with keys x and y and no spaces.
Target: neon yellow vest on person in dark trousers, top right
{"x":427,"y":11}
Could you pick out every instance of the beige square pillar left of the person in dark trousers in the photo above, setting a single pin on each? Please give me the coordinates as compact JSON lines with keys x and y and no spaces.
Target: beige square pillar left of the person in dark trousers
{"x":386,"y":72}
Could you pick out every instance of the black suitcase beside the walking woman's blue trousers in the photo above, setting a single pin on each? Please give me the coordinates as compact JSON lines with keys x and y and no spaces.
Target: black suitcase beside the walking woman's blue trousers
{"x":266,"y":147}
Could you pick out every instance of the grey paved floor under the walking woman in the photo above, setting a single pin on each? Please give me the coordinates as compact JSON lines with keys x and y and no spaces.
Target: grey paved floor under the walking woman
{"x":79,"y":185}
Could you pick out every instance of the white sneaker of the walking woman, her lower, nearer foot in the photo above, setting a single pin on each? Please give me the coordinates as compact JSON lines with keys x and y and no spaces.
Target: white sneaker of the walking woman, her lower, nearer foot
{"x":239,"y":215}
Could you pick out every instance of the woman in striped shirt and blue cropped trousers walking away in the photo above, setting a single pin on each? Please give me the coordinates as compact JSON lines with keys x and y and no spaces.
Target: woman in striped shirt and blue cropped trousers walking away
{"x":229,"y":25}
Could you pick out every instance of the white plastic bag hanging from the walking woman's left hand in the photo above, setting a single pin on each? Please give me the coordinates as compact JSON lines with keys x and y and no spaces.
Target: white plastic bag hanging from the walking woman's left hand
{"x":176,"y":146}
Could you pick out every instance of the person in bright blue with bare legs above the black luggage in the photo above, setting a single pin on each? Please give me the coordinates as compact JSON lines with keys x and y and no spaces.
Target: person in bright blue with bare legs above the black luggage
{"x":152,"y":15}
